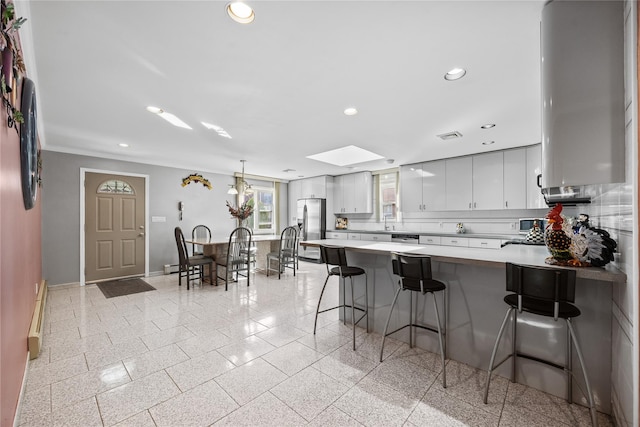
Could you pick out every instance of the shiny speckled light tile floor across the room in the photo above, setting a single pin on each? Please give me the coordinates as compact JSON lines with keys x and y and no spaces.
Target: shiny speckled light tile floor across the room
{"x":203,"y":357}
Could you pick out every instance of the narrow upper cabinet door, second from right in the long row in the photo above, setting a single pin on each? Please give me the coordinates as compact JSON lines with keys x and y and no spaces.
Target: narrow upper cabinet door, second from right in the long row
{"x":515,"y":179}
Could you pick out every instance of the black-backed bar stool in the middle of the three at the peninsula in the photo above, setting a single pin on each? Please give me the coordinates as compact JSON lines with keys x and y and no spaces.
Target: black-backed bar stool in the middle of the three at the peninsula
{"x":415,"y":276}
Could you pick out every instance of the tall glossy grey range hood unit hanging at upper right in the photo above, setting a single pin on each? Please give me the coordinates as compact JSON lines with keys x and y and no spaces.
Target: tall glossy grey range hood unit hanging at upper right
{"x":582,"y":73}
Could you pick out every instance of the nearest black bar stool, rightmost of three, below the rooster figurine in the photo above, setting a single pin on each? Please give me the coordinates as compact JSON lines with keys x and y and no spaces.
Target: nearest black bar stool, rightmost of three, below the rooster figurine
{"x":547,"y":292}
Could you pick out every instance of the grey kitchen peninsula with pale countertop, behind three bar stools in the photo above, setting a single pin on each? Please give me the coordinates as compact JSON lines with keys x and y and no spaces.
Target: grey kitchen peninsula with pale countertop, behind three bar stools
{"x":475,"y":280}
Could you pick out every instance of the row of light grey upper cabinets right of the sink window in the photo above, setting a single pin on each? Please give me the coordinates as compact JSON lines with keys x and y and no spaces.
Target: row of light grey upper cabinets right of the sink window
{"x":489,"y":181}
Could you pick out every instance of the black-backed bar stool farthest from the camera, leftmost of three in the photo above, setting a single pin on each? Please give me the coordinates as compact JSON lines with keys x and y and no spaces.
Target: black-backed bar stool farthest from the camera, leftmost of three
{"x":335,"y":259}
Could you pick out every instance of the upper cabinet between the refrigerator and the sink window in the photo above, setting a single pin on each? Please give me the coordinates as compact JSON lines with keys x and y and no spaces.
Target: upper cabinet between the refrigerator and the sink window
{"x":353,"y":193}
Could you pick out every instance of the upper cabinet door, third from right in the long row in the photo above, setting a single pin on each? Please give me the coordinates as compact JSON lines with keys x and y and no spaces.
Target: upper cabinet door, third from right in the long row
{"x":488,"y":181}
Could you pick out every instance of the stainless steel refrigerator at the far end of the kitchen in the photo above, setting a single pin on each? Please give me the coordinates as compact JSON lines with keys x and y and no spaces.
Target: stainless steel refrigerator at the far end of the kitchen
{"x":312,"y":223}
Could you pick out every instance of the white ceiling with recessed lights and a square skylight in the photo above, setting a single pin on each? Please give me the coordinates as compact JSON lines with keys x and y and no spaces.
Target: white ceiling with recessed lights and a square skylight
{"x":279,"y":86}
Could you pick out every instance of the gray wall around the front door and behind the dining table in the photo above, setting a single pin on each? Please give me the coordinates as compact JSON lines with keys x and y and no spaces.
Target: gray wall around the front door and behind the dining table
{"x":61,"y":210}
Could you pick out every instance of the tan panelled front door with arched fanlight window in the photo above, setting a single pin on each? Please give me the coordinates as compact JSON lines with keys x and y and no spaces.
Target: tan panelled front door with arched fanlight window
{"x":114,"y":226}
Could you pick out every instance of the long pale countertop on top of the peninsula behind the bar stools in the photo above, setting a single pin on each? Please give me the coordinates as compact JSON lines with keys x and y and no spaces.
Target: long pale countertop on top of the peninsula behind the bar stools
{"x":517,"y":254}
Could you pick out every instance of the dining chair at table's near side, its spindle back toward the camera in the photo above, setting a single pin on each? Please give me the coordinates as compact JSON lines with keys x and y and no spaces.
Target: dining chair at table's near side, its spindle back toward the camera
{"x":237,"y":259}
